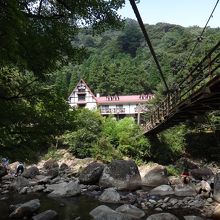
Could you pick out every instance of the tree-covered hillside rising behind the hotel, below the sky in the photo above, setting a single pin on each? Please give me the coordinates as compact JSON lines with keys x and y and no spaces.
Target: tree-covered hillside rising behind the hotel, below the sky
{"x":119,"y":62}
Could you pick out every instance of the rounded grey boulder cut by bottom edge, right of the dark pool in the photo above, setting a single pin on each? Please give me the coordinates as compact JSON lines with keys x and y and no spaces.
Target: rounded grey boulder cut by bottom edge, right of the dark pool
{"x":103,"y":212}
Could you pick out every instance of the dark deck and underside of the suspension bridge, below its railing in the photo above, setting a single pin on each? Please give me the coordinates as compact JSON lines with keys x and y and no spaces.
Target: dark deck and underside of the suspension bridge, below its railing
{"x":205,"y":99}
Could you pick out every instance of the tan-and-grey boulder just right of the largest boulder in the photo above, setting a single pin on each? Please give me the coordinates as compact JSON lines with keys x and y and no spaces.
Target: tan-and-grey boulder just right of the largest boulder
{"x":153,"y":176}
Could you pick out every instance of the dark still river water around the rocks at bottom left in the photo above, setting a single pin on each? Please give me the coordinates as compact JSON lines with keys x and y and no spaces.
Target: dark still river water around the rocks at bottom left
{"x":67,"y":209}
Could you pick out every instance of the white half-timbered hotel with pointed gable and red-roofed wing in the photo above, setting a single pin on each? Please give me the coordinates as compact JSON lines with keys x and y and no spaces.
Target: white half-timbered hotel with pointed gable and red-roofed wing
{"x":120,"y":106}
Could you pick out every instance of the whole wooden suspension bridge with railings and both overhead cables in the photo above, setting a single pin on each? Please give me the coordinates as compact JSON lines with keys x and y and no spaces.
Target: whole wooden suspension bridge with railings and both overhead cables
{"x":196,"y":94}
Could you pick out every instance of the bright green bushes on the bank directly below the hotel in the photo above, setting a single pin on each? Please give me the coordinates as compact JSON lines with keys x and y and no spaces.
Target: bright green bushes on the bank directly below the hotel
{"x":106,"y":139}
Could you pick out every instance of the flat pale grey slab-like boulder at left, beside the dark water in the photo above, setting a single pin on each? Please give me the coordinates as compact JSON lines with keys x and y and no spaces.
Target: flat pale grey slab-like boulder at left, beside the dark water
{"x":66,"y":190}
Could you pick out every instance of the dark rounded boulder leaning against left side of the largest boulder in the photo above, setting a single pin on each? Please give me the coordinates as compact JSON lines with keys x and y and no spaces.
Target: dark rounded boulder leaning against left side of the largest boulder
{"x":91,"y":174}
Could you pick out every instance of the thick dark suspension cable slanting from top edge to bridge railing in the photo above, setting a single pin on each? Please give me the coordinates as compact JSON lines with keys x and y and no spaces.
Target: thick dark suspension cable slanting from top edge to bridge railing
{"x":135,"y":9}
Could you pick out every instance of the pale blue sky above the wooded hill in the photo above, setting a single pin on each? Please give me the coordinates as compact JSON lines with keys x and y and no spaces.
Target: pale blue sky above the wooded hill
{"x":182,"y":12}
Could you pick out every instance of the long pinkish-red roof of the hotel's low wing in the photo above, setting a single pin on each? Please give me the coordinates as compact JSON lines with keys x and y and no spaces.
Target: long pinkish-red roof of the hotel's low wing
{"x":124,"y":99}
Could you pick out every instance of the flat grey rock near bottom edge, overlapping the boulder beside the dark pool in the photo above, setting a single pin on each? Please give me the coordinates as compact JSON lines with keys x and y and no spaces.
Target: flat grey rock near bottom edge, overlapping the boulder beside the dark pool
{"x":131,"y":211}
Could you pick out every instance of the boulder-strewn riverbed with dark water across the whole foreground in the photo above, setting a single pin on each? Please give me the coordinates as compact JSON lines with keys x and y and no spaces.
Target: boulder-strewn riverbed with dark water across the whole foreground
{"x":118,"y":190}
